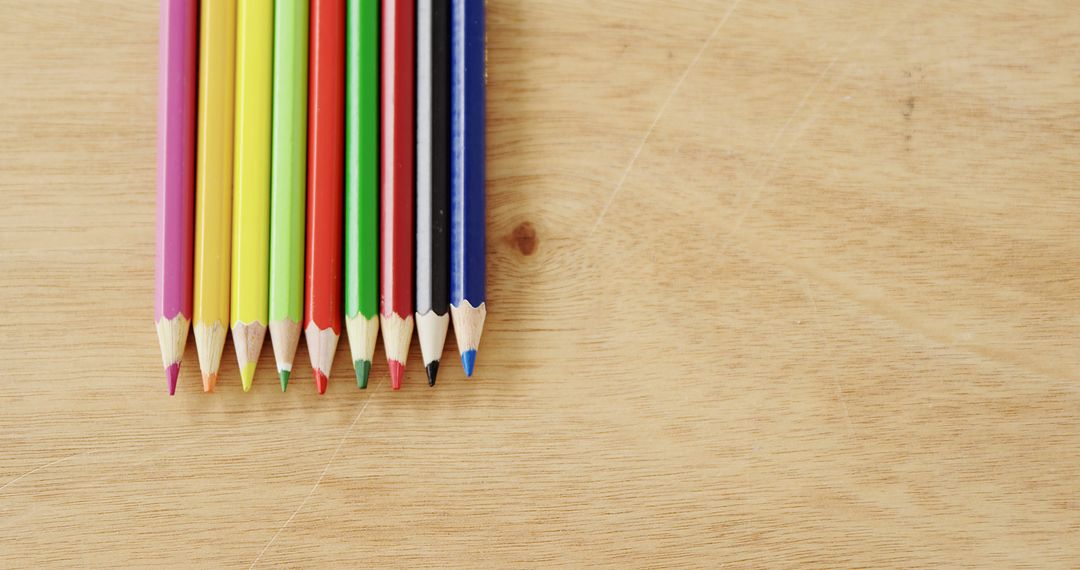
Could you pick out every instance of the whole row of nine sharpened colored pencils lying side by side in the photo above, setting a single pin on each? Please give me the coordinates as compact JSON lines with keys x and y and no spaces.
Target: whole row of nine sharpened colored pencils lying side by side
{"x":320,"y":161}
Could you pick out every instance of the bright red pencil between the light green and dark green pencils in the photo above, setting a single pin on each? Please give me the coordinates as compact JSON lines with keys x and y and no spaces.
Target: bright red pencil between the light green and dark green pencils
{"x":322,"y":307}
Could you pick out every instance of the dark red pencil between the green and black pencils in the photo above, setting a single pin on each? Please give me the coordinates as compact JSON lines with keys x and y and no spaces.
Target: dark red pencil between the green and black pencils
{"x":397,"y":184}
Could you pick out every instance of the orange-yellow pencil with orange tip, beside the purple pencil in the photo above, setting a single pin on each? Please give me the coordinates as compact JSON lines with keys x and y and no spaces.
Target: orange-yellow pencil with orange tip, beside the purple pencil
{"x":214,"y":184}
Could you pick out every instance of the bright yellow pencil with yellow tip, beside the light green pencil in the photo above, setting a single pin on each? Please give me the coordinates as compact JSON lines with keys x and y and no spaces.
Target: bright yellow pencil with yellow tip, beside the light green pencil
{"x":251,"y":199}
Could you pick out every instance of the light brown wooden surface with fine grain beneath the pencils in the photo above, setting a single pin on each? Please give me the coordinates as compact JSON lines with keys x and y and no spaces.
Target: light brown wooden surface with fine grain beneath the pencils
{"x":773,"y":284}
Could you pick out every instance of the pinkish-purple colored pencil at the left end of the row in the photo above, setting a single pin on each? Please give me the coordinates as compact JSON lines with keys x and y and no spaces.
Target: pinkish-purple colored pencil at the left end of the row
{"x":177,"y":151}
